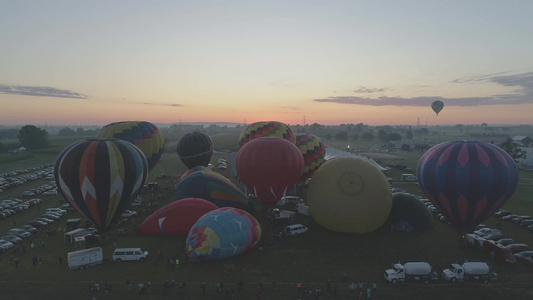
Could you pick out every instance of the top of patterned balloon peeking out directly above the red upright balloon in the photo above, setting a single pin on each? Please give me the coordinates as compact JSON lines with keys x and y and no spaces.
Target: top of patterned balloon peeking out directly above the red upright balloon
{"x":266,"y":129}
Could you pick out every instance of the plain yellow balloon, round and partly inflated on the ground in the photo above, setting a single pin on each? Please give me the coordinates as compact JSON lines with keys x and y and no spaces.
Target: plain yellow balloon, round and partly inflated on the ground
{"x":348,"y":194}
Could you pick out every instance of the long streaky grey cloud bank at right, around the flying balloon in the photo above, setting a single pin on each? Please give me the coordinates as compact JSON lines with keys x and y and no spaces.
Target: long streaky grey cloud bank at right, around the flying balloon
{"x":523,"y":94}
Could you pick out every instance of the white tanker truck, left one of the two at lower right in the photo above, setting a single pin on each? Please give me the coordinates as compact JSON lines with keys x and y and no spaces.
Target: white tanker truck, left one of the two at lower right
{"x":411,"y":272}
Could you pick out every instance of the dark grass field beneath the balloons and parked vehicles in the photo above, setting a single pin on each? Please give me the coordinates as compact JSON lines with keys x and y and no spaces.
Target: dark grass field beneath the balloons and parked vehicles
{"x":311,"y":259}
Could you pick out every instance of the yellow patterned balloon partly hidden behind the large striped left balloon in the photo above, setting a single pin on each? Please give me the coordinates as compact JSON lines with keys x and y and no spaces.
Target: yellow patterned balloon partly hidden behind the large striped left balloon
{"x":142,"y":134}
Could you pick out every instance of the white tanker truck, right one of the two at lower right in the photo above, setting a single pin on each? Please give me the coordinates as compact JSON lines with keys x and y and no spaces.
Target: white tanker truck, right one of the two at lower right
{"x":469,"y":271}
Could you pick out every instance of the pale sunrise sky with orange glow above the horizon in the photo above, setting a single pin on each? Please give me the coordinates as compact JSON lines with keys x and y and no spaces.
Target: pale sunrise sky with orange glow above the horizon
{"x":328,"y":62}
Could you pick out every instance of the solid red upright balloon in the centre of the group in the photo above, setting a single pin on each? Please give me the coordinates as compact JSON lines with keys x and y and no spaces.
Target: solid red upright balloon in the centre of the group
{"x":268,"y":167}
